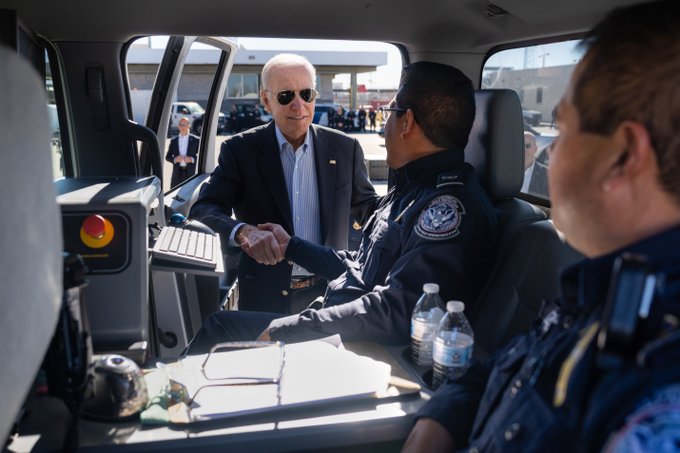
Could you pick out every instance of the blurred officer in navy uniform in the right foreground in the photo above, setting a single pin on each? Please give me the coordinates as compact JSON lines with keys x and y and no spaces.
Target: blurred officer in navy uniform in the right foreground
{"x":601,"y":372}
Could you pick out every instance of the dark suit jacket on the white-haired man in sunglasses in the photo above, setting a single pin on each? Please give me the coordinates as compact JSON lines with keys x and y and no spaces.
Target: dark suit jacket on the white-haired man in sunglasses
{"x":249,"y":183}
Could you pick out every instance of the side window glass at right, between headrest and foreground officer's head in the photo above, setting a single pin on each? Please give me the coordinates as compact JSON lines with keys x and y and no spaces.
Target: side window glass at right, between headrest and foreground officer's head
{"x":539,"y":75}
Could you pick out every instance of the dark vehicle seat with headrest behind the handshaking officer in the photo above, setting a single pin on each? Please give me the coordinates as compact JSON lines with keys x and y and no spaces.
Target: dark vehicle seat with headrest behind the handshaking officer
{"x":530,"y":250}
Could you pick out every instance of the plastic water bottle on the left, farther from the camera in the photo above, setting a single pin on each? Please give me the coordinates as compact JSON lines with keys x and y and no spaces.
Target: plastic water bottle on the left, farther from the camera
{"x":426,"y":315}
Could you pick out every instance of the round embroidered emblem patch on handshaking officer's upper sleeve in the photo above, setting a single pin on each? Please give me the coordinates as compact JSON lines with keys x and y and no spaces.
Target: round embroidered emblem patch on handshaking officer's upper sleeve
{"x":441,"y":218}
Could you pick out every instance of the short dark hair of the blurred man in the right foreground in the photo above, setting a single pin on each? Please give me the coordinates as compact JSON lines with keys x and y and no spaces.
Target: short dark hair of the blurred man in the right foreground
{"x":631,"y":72}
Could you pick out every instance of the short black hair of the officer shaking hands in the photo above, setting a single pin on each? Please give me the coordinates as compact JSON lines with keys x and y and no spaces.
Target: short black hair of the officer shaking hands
{"x":442,"y":100}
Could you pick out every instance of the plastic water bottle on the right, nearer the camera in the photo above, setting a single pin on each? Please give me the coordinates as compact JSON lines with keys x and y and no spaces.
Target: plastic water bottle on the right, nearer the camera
{"x":453,"y":344}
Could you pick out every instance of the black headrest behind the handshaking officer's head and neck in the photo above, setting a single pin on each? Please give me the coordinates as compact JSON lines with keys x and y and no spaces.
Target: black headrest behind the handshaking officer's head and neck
{"x":496,"y":144}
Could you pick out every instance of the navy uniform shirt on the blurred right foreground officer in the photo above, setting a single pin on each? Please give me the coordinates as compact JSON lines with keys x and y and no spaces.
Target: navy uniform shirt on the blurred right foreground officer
{"x":544,"y":390}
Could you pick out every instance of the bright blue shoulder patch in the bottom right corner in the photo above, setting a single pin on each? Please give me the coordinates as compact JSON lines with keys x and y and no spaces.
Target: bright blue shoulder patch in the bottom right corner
{"x":653,"y":426}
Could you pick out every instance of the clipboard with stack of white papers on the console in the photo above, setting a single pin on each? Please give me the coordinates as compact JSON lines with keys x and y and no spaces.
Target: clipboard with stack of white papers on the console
{"x":272,"y":378}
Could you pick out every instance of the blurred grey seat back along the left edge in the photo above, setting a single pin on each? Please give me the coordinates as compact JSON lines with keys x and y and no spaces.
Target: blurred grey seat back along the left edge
{"x":30,"y":233}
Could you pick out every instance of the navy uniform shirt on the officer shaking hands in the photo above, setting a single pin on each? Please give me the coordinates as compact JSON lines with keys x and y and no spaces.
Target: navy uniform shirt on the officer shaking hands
{"x":435,"y":225}
